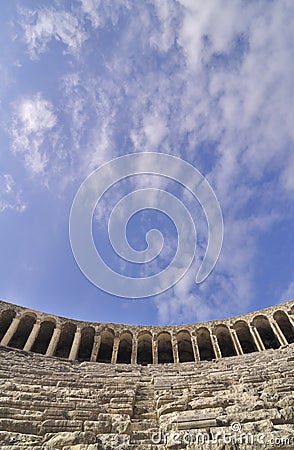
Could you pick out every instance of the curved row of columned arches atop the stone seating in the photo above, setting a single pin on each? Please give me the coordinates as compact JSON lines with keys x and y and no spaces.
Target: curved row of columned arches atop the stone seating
{"x":45,"y":336}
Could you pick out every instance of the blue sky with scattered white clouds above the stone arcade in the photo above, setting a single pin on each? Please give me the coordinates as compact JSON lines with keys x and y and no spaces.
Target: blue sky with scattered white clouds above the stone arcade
{"x":86,"y":81}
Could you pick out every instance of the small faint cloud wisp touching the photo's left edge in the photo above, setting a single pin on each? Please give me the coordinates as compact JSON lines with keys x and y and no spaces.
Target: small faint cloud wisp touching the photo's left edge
{"x":10,"y":195}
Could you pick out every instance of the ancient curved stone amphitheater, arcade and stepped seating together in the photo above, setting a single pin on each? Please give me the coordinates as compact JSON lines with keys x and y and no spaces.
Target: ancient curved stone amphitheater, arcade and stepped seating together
{"x":68,"y":384}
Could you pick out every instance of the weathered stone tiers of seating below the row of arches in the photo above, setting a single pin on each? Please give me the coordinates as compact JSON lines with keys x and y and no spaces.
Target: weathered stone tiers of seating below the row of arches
{"x":54,"y":403}
